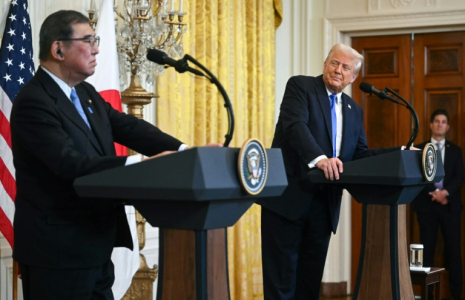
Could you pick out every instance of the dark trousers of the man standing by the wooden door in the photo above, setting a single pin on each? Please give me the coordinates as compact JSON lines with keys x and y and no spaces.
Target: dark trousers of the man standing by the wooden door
{"x":449,"y":221}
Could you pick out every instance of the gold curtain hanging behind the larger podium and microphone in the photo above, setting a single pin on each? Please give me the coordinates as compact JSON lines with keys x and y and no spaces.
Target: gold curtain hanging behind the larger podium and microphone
{"x":235,"y":40}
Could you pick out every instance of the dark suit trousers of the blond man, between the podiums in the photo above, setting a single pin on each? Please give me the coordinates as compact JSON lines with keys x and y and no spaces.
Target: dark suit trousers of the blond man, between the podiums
{"x":294,"y":252}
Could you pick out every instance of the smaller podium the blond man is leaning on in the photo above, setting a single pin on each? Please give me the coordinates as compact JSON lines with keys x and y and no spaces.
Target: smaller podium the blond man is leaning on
{"x":384,"y":184}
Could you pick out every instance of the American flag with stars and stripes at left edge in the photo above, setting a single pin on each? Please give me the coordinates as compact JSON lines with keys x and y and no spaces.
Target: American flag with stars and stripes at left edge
{"x":16,"y":68}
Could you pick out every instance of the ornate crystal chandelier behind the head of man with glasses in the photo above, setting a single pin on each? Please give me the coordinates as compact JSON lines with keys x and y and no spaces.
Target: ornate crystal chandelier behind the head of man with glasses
{"x":146,"y":24}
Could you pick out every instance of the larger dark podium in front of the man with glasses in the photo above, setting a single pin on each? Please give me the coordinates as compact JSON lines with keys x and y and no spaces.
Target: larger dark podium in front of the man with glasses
{"x":192,"y":196}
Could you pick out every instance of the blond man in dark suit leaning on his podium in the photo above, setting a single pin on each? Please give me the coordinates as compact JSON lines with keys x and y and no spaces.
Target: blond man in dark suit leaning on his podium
{"x":318,"y":126}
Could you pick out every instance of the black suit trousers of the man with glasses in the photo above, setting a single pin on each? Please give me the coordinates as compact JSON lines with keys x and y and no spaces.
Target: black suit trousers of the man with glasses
{"x":70,"y":284}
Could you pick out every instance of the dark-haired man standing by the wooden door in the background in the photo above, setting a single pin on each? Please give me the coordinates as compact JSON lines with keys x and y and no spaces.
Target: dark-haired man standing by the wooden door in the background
{"x":440,"y":205}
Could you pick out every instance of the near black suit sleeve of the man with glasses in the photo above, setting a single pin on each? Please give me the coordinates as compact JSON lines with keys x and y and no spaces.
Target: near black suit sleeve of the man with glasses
{"x":42,"y":141}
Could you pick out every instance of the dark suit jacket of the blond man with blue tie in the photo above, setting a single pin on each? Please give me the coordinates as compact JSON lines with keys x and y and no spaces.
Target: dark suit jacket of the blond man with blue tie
{"x":303,"y":133}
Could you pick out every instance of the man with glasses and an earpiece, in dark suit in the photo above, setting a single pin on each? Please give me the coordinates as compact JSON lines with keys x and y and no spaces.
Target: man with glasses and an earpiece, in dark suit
{"x":63,"y":129}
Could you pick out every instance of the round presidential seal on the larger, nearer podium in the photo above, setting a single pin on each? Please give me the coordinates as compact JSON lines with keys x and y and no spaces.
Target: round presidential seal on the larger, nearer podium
{"x":253,"y":166}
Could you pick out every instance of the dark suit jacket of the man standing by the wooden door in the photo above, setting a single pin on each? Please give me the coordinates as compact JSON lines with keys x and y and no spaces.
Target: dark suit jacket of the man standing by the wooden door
{"x":452,"y":182}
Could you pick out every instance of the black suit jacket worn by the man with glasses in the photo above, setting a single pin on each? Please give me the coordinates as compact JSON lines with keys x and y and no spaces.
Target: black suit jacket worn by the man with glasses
{"x":52,"y":146}
